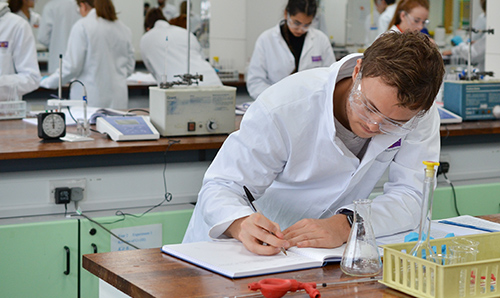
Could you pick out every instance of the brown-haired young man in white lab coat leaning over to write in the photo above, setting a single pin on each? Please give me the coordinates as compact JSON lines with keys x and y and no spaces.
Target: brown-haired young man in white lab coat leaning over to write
{"x":316,"y":141}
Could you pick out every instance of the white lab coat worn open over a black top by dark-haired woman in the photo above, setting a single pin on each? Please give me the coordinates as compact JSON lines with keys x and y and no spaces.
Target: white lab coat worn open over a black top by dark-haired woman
{"x":272,"y":60}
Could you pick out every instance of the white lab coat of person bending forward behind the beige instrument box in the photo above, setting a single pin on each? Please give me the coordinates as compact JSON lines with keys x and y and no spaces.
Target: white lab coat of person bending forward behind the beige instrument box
{"x":158,"y":54}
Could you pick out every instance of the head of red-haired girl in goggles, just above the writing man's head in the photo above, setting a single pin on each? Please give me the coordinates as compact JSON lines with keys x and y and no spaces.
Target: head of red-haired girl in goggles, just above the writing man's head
{"x":410,"y":15}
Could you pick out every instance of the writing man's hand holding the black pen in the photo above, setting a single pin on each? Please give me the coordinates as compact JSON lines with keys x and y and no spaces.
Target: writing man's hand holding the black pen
{"x":254,"y":232}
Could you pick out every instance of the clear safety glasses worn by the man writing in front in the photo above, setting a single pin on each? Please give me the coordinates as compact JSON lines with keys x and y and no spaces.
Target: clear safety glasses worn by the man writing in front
{"x":368,"y":113}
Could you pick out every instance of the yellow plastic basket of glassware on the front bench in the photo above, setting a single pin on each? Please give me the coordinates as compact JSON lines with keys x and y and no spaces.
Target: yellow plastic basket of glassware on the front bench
{"x":421,"y":278}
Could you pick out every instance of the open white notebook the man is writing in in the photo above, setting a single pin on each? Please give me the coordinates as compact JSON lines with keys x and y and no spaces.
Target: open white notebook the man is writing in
{"x":230,"y":258}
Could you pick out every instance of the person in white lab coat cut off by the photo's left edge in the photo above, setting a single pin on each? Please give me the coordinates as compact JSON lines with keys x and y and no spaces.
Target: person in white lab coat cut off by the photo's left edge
{"x":18,"y":60}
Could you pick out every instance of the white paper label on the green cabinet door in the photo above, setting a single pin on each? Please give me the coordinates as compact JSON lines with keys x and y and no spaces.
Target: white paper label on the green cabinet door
{"x":149,"y":236}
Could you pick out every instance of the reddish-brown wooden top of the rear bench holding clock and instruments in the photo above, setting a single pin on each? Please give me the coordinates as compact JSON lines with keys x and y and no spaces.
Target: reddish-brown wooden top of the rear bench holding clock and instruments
{"x":19,"y":140}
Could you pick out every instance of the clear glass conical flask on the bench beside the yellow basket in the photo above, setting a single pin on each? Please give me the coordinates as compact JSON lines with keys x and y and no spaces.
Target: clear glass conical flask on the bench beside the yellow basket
{"x":361,"y":256}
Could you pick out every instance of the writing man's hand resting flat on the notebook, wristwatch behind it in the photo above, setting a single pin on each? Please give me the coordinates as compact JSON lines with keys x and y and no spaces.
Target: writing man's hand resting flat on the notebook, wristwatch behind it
{"x":326,"y":233}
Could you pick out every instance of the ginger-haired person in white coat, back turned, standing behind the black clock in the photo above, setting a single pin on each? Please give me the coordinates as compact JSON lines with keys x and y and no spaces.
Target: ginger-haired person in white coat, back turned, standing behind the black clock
{"x":100,"y":55}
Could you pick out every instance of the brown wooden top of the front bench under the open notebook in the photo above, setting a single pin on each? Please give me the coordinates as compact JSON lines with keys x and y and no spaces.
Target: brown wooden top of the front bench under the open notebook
{"x":151,"y":273}
